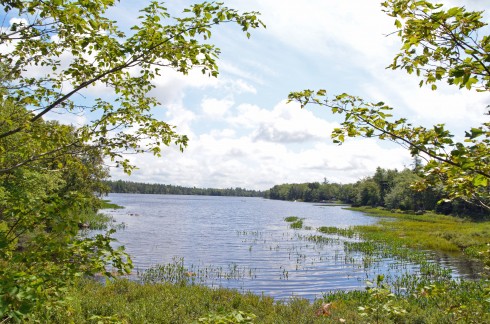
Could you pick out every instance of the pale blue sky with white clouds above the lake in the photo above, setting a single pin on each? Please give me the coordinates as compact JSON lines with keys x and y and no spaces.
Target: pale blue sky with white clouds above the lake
{"x":242,"y":131}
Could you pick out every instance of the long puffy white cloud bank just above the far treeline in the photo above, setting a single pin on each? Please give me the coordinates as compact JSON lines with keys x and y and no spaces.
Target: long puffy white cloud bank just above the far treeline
{"x":214,"y":161}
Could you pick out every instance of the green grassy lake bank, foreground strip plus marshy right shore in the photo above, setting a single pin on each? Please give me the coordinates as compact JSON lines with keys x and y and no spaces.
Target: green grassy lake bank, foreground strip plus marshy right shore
{"x":428,"y":297}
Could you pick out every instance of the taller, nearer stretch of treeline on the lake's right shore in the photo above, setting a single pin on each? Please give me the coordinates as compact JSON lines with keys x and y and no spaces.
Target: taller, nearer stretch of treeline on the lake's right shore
{"x":390,"y":189}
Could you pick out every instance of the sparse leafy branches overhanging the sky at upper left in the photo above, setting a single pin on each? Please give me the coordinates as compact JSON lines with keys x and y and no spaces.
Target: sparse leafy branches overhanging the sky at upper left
{"x":73,"y":46}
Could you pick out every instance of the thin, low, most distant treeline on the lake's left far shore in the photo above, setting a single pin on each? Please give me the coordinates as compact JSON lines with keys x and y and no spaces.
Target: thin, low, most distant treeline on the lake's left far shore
{"x":121,"y":186}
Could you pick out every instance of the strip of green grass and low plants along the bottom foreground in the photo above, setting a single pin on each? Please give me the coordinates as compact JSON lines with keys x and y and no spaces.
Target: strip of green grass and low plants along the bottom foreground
{"x":124,"y":301}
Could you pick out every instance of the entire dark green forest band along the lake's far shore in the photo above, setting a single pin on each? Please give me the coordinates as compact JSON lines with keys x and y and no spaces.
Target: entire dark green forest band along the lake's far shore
{"x":387,"y":188}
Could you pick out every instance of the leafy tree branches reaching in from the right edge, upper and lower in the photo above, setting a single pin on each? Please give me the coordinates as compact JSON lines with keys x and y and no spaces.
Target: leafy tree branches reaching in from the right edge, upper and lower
{"x":438,"y":45}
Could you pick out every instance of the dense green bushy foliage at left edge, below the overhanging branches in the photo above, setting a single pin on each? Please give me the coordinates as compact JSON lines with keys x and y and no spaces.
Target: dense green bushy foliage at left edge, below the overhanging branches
{"x":41,"y":207}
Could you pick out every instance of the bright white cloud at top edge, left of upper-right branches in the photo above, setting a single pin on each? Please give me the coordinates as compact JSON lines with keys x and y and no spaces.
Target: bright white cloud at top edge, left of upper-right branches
{"x":351,"y":30}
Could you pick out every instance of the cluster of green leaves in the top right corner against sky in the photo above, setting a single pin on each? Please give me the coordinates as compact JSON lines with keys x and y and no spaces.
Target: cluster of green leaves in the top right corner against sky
{"x":441,"y":44}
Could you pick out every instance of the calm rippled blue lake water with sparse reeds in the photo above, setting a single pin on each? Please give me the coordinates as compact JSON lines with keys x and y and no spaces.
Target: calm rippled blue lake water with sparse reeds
{"x":244,"y":243}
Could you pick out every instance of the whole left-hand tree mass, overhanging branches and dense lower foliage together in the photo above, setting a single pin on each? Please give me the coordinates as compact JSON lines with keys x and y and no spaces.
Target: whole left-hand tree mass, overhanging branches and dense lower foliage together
{"x":53,"y":53}
